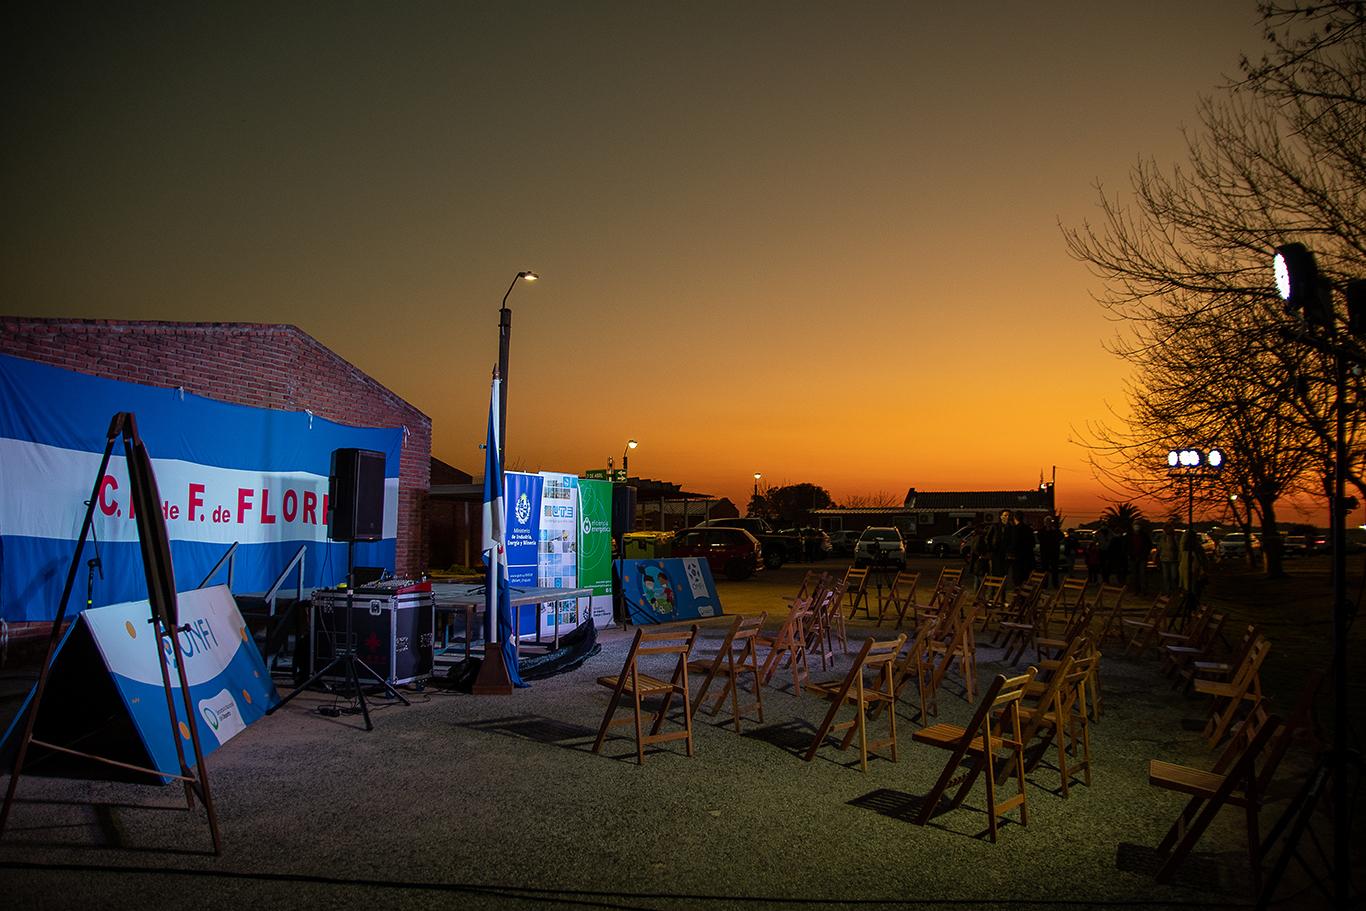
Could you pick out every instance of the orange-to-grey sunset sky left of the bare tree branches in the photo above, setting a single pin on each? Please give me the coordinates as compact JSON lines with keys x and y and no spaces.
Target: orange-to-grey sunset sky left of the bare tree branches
{"x":815,"y":241}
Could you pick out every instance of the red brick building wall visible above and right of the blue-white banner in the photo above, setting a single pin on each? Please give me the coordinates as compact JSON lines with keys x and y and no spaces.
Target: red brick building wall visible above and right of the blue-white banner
{"x":267,"y":367}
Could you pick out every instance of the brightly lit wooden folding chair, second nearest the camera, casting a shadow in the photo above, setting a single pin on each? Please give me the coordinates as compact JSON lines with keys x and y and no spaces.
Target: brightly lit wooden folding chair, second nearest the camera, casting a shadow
{"x":994,"y":730}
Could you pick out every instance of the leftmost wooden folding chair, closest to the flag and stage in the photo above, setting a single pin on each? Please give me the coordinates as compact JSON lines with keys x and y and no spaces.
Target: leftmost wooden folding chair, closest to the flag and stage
{"x":636,"y":685}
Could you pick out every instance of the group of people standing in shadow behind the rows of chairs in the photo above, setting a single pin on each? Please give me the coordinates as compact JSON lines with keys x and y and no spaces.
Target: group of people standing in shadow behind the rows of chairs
{"x":1117,"y":554}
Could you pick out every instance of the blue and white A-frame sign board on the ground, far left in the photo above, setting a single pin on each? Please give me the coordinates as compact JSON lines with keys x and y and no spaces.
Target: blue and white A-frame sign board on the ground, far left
{"x":229,"y":682}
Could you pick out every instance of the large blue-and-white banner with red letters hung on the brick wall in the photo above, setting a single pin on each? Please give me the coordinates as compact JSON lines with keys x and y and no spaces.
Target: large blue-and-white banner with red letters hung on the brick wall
{"x":226,"y":473}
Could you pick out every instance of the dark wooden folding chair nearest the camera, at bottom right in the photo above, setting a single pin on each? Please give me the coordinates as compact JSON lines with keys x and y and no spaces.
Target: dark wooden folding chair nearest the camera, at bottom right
{"x":1236,"y":781}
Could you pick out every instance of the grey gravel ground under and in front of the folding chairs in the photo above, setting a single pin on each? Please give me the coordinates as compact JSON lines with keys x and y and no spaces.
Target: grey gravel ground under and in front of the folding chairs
{"x":499,"y":804}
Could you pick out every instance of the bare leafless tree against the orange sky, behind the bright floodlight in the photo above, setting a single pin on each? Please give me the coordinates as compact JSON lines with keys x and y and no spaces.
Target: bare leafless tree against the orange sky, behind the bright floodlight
{"x":1185,"y":262}
